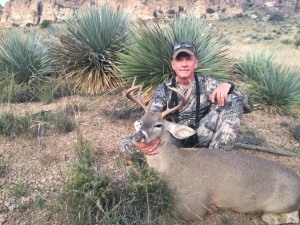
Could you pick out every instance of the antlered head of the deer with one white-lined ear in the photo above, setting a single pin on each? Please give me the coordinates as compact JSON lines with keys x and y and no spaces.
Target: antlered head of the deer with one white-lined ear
{"x":152,"y":124}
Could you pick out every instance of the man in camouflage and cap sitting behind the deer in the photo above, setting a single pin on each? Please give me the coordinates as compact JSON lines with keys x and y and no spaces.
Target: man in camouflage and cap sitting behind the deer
{"x":216,"y":127}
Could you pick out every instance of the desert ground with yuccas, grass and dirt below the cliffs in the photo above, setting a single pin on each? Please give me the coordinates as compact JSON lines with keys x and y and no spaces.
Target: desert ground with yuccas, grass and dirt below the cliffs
{"x":63,"y":112}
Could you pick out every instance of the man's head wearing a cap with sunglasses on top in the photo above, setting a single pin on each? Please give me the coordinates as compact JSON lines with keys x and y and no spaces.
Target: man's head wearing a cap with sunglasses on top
{"x":184,"y":61}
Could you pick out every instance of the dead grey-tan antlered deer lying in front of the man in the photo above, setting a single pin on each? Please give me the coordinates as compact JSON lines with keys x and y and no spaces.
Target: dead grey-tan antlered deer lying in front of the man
{"x":204,"y":180}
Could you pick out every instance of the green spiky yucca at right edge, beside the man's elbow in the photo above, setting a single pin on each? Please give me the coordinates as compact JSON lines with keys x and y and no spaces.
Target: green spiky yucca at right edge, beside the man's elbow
{"x":277,"y":89}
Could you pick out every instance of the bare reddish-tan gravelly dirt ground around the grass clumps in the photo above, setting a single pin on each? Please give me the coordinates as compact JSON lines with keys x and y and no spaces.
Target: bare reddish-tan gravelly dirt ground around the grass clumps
{"x":42,"y":163}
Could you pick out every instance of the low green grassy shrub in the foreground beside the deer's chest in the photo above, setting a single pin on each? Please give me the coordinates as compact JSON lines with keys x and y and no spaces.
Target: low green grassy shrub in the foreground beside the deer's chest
{"x":91,"y":197}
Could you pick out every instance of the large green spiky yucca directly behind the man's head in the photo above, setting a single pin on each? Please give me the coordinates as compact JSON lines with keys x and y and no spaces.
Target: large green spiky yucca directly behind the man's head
{"x":149,"y":55}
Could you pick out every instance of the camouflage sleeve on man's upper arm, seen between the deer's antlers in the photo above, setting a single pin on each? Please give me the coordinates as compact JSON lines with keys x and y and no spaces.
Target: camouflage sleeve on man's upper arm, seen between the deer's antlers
{"x":159,"y":99}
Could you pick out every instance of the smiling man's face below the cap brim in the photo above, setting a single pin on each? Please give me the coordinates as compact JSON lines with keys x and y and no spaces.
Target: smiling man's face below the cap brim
{"x":184,"y":65}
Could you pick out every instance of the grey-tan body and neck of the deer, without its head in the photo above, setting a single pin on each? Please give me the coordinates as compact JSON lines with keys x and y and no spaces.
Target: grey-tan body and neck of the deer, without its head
{"x":203,"y":179}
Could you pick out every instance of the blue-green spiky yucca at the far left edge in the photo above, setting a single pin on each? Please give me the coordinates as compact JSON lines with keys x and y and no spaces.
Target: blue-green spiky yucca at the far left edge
{"x":24,"y":55}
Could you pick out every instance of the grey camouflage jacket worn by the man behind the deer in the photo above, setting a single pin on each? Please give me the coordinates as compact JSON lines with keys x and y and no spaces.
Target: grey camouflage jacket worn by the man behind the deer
{"x":188,"y":112}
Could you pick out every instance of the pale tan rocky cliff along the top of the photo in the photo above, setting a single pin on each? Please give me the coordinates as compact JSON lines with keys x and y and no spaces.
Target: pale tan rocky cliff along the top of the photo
{"x":24,"y":12}
